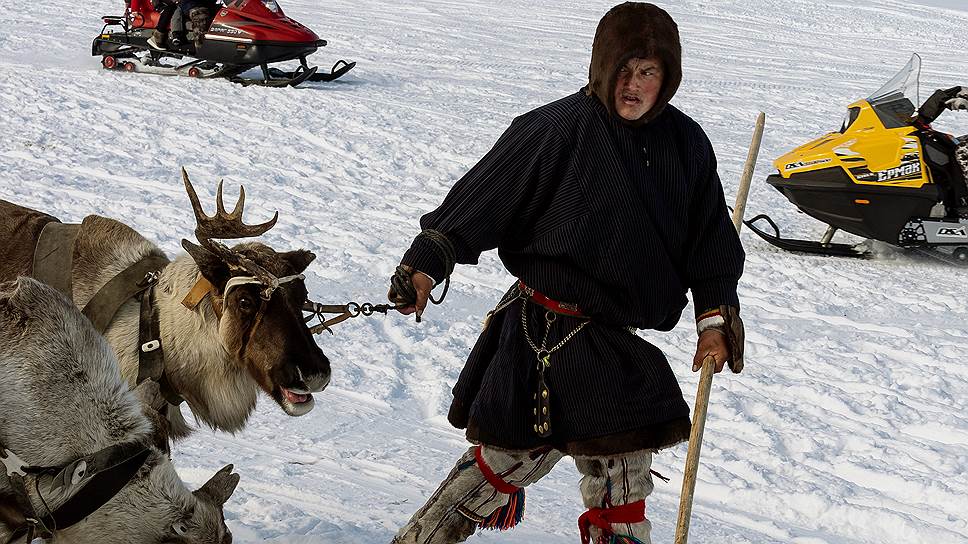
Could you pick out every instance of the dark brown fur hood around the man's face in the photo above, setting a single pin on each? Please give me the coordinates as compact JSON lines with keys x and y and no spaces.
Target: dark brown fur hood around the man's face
{"x":635,"y":29}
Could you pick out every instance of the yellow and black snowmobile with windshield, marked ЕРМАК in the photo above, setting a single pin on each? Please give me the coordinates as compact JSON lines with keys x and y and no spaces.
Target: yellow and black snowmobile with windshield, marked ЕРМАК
{"x":886,"y":175}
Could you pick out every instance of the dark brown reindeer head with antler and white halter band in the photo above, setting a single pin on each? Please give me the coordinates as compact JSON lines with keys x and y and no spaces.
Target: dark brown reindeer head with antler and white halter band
{"x":258,"y":295}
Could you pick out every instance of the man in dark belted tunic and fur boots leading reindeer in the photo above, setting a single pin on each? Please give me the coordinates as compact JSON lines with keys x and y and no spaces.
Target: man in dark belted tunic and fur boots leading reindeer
{"x":607,"y":206}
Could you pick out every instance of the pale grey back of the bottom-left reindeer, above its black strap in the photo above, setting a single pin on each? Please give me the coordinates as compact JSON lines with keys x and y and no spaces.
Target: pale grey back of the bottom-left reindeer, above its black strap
{"x":60,"y":389}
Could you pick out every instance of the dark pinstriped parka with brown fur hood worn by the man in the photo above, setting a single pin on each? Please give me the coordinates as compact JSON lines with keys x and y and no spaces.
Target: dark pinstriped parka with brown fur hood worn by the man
{"x":620,"y":218}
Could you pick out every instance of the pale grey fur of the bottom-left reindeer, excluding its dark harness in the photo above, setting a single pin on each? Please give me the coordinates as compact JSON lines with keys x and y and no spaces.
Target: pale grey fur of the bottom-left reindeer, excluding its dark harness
{"x":62,"y":397}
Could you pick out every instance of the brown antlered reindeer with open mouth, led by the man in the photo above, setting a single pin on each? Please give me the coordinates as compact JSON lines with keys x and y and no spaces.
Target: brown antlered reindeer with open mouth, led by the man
{"x":228,"y":321}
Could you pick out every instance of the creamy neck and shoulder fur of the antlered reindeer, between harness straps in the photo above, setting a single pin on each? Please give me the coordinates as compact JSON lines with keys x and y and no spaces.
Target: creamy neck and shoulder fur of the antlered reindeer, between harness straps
{"x":219,"y":391}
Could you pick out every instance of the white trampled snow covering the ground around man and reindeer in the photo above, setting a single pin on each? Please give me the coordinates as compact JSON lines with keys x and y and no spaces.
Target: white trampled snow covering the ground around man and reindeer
{"x":850,"y":424}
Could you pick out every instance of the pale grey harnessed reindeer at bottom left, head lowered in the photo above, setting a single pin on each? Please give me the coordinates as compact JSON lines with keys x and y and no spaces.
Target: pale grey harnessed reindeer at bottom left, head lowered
{"x":64,"y":407}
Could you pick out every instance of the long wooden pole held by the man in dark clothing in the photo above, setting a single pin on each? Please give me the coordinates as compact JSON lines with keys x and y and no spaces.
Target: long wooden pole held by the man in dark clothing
{"x":709,"y":363}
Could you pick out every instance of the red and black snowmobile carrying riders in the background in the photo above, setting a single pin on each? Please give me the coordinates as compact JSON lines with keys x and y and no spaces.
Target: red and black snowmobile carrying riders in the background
{"x":243,"y":34}
